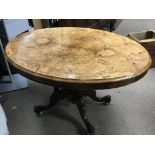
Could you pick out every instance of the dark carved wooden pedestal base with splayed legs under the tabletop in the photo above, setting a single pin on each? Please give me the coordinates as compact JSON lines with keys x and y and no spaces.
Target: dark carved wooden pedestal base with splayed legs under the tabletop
{"x":76,"y":96}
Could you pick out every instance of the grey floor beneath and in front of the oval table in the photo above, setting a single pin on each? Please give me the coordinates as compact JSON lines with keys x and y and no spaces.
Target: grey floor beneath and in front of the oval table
{"x":132,"y":111}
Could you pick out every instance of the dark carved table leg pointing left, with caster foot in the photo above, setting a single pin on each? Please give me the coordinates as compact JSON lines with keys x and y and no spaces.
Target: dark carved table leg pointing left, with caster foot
{"x":53,"y":100}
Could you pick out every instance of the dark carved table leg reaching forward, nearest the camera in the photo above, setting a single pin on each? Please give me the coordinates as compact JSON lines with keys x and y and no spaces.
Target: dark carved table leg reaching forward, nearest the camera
{"x":82,"y":109}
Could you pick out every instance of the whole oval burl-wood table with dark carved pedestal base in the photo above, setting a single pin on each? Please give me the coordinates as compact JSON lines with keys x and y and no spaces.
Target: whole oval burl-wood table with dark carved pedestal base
{"x":77,"y":61}
